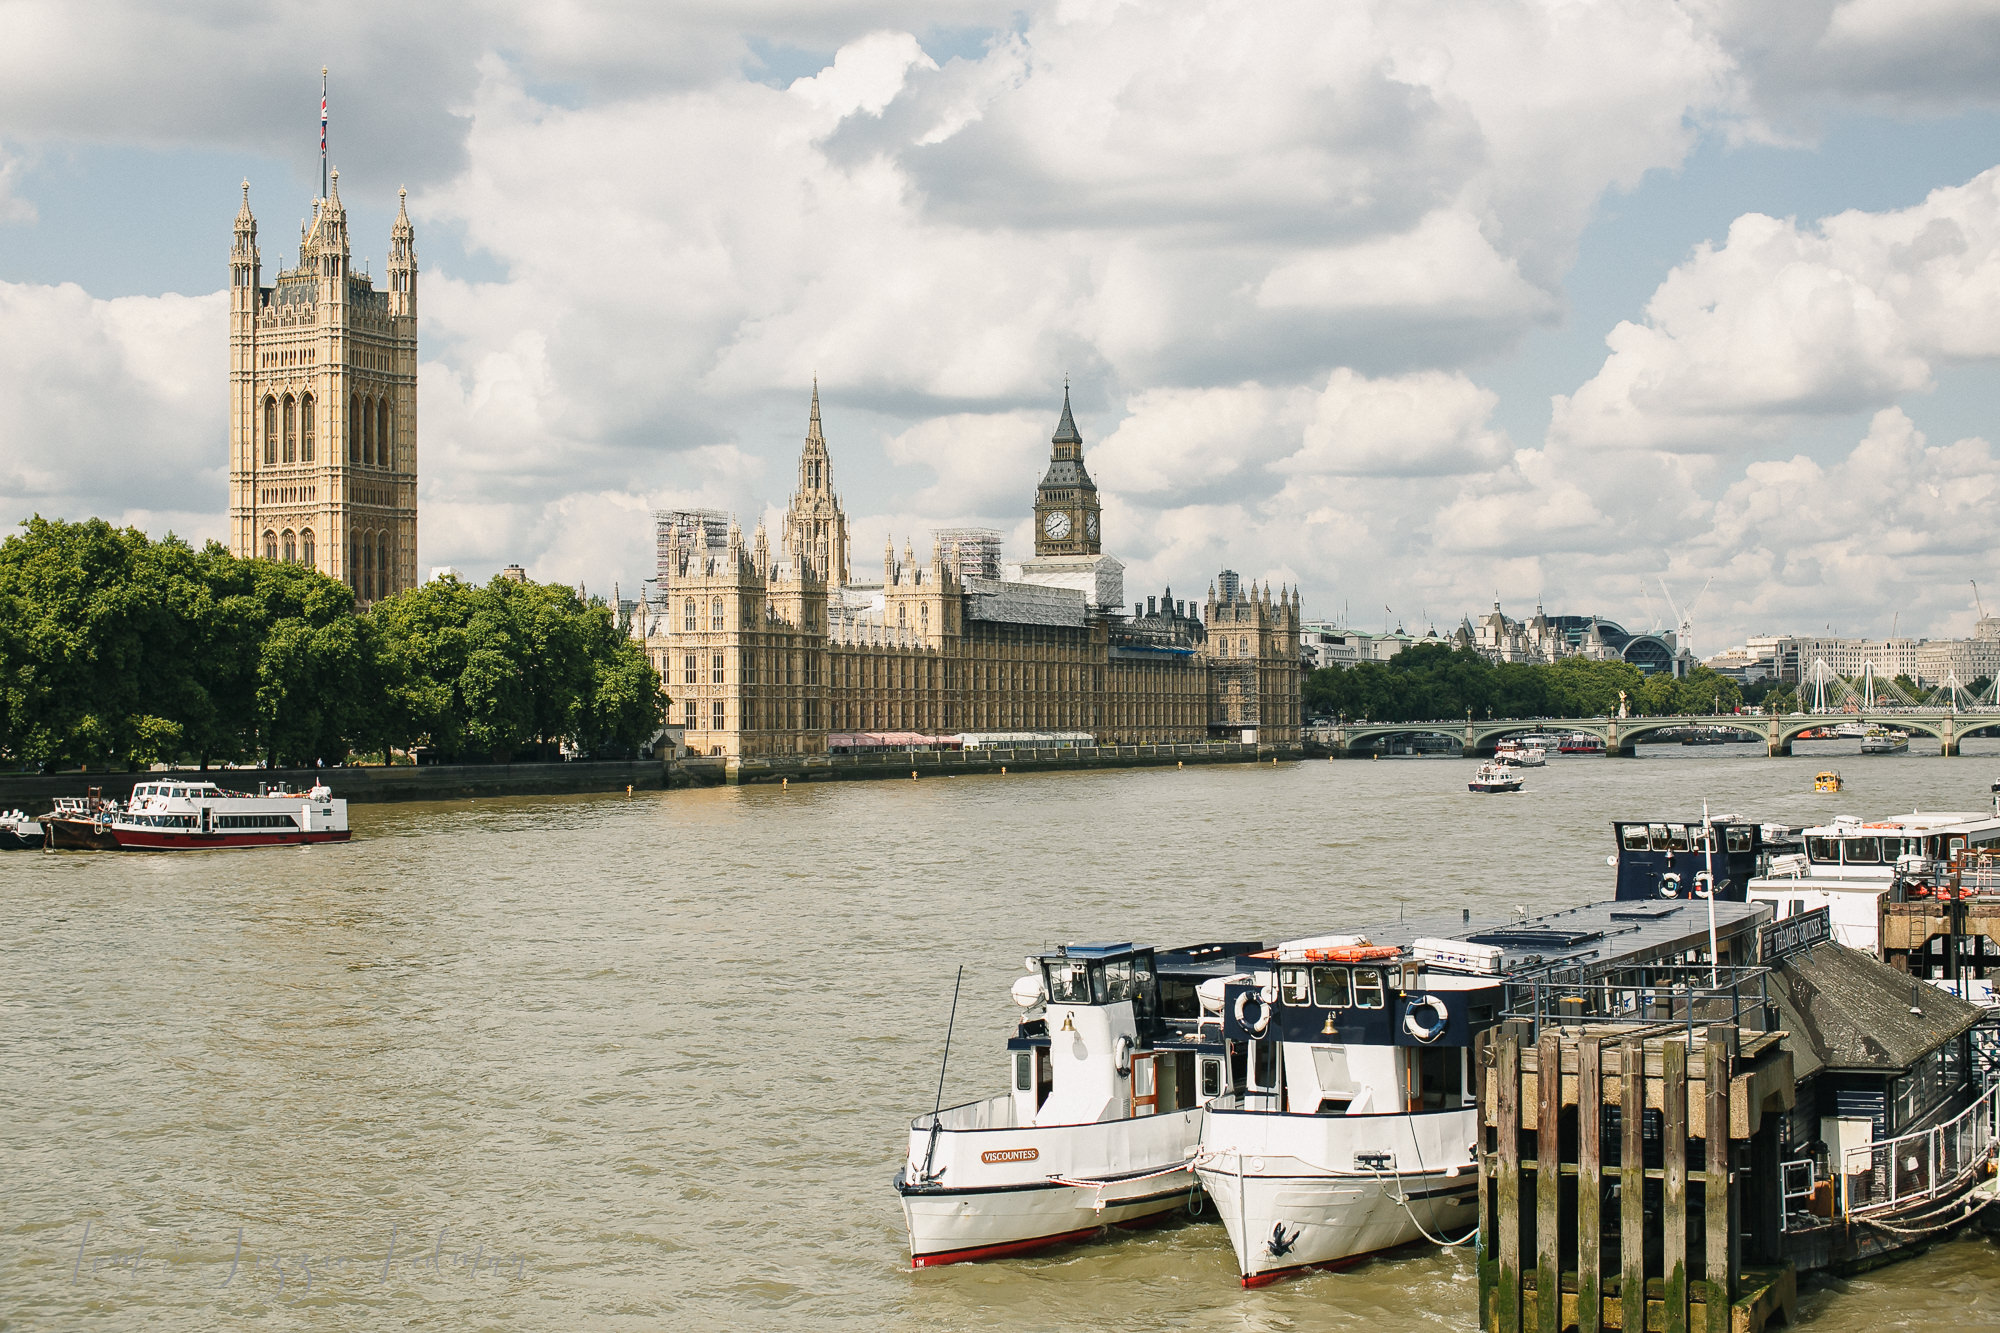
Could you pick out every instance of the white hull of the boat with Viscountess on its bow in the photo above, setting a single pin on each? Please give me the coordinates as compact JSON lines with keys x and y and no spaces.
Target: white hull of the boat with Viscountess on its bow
{"x":993,"y":1190}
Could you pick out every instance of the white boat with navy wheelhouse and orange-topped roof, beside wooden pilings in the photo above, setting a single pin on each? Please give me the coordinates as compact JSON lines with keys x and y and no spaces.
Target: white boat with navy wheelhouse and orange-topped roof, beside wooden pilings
{"x":1349,"y":1120}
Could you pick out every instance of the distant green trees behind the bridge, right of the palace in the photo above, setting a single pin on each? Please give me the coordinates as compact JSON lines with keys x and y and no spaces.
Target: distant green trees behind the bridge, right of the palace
{"x":1435,"y":684}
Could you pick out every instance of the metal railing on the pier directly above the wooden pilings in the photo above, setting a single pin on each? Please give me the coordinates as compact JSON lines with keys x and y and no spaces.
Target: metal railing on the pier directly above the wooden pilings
{"x":1679,"y":994}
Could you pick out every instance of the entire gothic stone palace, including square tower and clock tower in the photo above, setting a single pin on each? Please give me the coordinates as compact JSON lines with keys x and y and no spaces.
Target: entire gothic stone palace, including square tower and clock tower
{"x":763,"y":653}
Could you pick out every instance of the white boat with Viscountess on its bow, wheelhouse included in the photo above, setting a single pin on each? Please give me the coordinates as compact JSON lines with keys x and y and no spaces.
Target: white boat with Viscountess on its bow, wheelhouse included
{"x":1101,"y":1120}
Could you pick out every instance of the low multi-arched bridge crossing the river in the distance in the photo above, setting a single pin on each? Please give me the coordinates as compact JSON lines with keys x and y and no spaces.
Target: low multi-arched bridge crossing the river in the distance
{"x":1621,"y":734}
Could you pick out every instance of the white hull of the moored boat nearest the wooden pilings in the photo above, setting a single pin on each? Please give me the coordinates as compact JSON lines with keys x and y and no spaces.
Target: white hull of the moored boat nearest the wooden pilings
{"x":1291,"y":1204}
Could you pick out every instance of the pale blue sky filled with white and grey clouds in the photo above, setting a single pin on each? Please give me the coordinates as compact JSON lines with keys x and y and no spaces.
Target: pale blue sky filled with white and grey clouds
{"x":1629,"y":309}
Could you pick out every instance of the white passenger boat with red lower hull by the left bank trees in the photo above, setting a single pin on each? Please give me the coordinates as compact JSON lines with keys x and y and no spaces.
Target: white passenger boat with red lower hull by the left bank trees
{"x":177,"y":816}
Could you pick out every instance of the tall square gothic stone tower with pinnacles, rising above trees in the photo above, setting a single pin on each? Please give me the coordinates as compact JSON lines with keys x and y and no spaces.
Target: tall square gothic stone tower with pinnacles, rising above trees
{"x":323,"y":405}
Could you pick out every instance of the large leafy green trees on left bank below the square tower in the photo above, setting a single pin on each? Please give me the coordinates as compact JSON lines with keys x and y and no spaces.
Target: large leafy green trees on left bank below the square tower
{"x":119,"y":651}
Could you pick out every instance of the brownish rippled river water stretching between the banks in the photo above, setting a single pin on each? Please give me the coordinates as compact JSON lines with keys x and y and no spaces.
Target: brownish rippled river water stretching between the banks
{"x":649,"y":1062}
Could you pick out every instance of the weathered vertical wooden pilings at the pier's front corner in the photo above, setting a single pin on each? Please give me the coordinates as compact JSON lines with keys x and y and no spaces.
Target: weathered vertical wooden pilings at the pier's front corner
{"x":1635,"y":1068}
